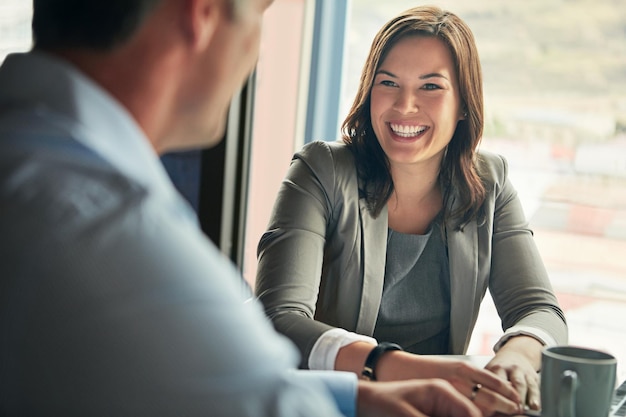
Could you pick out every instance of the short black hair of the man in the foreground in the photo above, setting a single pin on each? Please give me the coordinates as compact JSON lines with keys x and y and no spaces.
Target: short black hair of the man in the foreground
{"x":91,"y":24}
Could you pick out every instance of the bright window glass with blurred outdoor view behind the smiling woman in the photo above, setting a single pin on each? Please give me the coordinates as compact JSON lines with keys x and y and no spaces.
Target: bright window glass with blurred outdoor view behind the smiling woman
{"x":555,"y":102}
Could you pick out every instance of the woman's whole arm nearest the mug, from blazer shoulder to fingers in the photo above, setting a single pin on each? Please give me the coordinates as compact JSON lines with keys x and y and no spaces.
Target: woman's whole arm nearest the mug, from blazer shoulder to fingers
{"x":521,"y":290}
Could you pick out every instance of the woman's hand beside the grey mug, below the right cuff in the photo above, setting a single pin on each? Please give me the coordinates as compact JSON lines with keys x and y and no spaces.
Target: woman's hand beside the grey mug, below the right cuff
{"x":518,"y":361}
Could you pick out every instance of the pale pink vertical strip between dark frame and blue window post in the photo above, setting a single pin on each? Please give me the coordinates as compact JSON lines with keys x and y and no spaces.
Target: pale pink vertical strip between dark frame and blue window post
{"x":278,"y":123}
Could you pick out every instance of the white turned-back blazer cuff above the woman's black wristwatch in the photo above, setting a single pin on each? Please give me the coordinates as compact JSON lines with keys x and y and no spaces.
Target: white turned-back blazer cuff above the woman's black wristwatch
{"x":325,"y":349}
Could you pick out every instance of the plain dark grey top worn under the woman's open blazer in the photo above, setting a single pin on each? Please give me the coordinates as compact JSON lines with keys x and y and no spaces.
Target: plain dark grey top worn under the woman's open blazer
{"x":415,"y":306}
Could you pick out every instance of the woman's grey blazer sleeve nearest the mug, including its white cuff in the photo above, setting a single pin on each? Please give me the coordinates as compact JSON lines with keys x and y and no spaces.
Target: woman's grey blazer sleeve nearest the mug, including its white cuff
{"x":518,"y":282}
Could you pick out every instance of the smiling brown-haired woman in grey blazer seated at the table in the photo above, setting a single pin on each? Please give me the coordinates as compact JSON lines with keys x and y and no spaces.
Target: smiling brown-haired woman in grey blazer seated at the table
{"x":396,"y":233}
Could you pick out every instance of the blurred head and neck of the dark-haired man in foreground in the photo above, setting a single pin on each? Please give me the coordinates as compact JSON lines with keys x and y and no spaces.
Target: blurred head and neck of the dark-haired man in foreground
{"x":174,"y":64}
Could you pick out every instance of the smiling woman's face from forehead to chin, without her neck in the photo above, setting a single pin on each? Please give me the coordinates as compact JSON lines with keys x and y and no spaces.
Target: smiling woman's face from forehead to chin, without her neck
{"x":415,"y":101}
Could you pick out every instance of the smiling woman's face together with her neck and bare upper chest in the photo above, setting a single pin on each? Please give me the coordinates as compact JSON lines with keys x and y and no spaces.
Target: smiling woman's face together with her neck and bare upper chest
{"x":415,"y":107}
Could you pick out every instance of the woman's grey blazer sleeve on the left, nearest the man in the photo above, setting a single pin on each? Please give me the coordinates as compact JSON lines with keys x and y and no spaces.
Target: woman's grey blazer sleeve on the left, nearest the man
{"x":291,"y":251}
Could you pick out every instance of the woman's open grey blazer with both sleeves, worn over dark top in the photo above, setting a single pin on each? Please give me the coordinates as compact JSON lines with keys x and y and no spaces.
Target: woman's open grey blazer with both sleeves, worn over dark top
{"x":322,"y":259}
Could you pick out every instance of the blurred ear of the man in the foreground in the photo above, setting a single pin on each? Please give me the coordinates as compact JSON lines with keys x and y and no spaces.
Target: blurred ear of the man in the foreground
{"x":201,"y":19}
